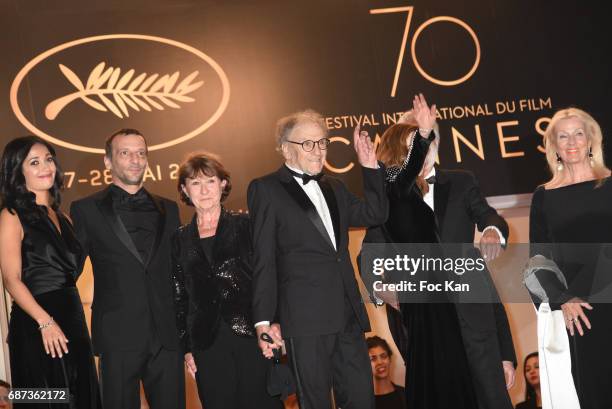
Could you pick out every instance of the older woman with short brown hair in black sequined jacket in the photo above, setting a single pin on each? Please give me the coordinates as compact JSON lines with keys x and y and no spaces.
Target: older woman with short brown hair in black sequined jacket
{"x":213,"y":292}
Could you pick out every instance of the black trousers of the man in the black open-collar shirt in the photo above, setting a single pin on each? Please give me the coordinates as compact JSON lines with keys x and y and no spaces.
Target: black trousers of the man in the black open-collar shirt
{"x":161,"y":371}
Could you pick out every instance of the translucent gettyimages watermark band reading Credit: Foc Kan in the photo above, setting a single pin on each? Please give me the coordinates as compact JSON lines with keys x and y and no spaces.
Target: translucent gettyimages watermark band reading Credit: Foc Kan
{"x":459,"y":273}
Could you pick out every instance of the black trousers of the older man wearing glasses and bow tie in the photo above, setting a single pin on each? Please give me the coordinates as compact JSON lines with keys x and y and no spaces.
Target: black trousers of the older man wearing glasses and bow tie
{"x":339,"y":361}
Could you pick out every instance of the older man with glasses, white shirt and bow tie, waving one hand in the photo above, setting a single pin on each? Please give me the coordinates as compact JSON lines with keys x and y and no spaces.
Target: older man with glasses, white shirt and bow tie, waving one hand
{"x":302,"y":270}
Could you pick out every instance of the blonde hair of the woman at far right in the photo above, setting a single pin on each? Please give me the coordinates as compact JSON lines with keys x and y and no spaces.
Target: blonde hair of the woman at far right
{"x":594,"y":137}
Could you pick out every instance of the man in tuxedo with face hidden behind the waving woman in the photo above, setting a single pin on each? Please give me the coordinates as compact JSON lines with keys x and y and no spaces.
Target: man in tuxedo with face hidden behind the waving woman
{"x":459,"y":205}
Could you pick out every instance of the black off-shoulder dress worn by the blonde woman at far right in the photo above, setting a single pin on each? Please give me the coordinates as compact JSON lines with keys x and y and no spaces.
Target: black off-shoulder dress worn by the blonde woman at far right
{"x":571,"y":217}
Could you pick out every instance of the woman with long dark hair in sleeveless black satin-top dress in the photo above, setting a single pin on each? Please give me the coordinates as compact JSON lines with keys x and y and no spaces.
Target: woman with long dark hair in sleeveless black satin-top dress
{"x":41,"y":260}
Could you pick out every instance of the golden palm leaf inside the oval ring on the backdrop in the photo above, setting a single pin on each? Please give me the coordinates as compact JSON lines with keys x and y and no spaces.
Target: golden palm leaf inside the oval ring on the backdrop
{"x":144,"y":91}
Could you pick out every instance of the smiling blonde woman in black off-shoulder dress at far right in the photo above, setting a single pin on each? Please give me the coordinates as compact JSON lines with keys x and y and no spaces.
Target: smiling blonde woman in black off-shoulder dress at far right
{"x":575,"y":206}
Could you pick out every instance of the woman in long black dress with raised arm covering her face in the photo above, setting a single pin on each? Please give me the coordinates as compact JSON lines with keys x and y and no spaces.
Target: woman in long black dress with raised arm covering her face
{"x":427,"y":334}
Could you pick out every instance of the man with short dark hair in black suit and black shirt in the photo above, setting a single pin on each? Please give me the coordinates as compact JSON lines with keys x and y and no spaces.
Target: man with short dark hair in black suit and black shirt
{"x":126,"y":232}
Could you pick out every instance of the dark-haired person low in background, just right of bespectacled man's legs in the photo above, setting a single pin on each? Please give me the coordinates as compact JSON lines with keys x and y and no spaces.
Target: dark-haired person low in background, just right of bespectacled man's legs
{"x":387,"y":394}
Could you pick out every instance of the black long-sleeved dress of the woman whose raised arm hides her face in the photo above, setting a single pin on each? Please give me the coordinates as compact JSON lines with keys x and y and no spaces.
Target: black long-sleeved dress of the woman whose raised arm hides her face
{"x":430,"y":341}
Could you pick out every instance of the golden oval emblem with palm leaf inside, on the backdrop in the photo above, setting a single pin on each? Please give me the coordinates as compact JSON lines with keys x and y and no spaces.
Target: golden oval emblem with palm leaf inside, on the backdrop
{"x":122,"y":92}
